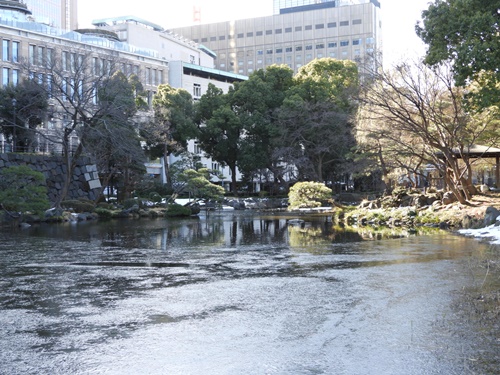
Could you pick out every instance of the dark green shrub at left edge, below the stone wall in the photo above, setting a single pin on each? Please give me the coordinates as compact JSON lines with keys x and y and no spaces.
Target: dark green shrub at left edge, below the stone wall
{"x":23,"y":189}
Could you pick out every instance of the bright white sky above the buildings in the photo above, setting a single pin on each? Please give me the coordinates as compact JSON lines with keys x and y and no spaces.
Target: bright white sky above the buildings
{"x":398,"y":17}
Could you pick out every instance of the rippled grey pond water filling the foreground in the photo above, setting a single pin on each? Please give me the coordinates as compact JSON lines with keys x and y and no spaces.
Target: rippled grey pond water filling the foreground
{"x":239,"y":293}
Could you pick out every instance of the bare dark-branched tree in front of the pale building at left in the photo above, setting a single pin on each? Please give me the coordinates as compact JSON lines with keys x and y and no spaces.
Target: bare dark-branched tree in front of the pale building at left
{"x":82,"y":97}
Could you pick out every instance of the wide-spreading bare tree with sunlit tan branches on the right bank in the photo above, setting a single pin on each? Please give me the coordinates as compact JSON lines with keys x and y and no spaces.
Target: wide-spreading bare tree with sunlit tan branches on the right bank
{"x":417,"y":114}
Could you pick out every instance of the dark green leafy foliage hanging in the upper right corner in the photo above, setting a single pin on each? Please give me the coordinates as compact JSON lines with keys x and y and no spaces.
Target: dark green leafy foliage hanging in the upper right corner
{"x":465,"y":32}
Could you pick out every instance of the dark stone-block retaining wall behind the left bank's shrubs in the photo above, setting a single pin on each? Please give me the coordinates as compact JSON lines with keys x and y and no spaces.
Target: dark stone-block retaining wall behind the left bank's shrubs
{"x":84,"y":184}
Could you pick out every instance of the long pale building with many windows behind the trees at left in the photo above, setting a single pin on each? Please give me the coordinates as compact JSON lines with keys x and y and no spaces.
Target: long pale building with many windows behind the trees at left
{"x":27,"y":48}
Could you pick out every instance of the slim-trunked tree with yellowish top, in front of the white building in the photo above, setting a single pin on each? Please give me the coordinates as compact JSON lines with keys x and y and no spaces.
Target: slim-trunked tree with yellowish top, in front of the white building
{"x":173,"y":124}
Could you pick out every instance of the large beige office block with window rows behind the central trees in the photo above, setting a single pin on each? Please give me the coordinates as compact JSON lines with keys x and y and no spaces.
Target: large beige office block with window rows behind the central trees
{"x":298,"y":32}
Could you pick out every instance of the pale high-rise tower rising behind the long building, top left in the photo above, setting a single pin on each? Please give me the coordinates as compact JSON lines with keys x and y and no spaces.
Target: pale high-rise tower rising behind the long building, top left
{"x":62,"y":14}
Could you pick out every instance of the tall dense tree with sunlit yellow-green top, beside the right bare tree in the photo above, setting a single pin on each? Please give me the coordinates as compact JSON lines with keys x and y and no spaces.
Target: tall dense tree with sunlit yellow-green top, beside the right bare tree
{"x":317,"y":118}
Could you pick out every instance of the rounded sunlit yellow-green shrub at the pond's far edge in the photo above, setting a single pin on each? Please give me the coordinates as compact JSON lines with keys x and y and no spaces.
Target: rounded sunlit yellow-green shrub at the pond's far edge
{"x":308,"y":195}
